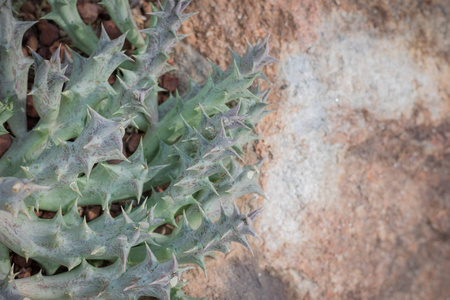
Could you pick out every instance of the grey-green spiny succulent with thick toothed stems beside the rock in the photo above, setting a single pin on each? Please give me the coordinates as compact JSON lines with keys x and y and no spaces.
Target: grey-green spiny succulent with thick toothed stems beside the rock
{"x":191,"y":147}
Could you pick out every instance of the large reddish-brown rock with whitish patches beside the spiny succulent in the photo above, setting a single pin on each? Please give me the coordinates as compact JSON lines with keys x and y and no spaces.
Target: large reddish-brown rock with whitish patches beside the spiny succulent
{"x":358,"y":166}
